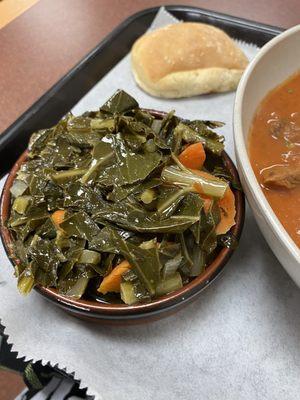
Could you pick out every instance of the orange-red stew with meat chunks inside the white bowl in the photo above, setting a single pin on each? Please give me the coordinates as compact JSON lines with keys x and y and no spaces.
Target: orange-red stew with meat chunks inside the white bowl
{"x":275,"y":152}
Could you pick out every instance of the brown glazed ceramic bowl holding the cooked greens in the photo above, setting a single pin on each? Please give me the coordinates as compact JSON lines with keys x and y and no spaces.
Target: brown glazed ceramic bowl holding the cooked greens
{"x":121,"y":313}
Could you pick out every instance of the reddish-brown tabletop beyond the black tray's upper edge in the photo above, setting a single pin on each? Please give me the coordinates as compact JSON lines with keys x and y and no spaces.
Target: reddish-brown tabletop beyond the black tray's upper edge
{"x":42,"y":44}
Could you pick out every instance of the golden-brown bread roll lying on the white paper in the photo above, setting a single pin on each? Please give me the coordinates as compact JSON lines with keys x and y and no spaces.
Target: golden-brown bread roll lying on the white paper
{"x":187,"y":59}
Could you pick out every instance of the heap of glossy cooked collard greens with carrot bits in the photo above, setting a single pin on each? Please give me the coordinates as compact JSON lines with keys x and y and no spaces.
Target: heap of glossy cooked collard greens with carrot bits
{"x":103,"y":202}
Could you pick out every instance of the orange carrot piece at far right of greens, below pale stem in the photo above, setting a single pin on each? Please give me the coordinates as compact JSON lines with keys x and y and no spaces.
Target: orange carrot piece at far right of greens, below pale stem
{"x":228,"y":212}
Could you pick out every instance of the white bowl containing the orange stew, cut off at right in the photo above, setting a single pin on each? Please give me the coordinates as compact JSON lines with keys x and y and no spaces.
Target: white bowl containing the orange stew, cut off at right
{"x":274,"y":63}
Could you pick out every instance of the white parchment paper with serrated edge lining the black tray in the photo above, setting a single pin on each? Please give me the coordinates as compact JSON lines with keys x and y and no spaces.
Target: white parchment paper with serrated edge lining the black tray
{"x":239,"y":340}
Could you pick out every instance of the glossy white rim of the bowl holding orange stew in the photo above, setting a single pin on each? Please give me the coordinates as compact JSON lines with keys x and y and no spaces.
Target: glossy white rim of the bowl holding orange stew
{"x":242,"y":153}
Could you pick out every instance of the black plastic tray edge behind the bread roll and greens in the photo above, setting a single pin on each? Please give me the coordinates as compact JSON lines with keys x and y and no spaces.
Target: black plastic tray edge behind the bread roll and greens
{"x":79,"y":80}
